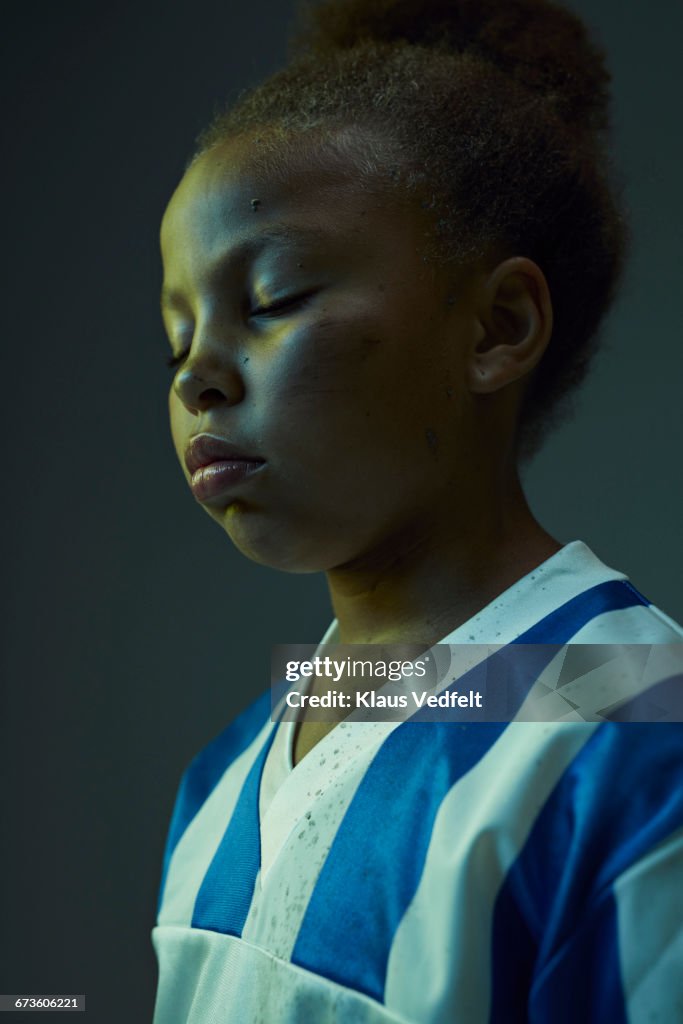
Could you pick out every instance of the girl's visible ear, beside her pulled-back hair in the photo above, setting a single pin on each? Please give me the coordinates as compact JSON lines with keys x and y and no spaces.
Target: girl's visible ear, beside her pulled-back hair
{"x":517,"y":320}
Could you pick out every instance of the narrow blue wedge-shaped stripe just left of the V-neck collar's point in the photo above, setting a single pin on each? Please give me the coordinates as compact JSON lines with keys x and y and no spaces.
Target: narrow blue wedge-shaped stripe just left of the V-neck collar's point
{"x":225,"y":898}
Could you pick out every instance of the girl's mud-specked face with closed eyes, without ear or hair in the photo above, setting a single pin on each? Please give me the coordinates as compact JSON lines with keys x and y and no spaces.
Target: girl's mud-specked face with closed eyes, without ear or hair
{"x":316,"y":339}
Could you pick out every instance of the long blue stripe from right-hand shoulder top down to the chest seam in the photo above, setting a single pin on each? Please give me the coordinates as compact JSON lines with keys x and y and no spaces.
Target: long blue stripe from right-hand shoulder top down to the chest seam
{"x":377,"y":859}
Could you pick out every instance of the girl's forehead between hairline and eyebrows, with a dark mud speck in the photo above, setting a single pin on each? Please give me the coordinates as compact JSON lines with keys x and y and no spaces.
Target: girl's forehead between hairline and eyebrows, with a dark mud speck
{"x":235,"y":196}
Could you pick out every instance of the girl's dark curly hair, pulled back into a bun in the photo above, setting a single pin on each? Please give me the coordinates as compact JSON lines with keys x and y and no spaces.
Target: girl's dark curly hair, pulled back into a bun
{"x":496,"y":114}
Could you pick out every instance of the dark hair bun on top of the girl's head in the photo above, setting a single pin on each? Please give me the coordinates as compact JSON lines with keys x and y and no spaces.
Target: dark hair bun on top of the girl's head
{"x":540,"y":45}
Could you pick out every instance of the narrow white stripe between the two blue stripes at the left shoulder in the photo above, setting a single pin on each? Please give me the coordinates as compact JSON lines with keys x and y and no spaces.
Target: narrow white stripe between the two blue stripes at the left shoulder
{"x":199,"y":843}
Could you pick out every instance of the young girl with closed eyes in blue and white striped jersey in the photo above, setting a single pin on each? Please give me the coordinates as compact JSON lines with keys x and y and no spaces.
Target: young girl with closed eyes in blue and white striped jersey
{"x":385,"y":271}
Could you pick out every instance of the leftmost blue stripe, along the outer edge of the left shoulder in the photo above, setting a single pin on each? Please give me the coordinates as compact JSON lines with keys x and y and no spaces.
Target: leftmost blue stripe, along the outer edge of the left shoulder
{"x":206,"y":771}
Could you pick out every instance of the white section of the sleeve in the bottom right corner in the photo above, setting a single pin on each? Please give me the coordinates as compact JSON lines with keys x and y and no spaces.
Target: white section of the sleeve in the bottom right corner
{"x":650,"y":905}
